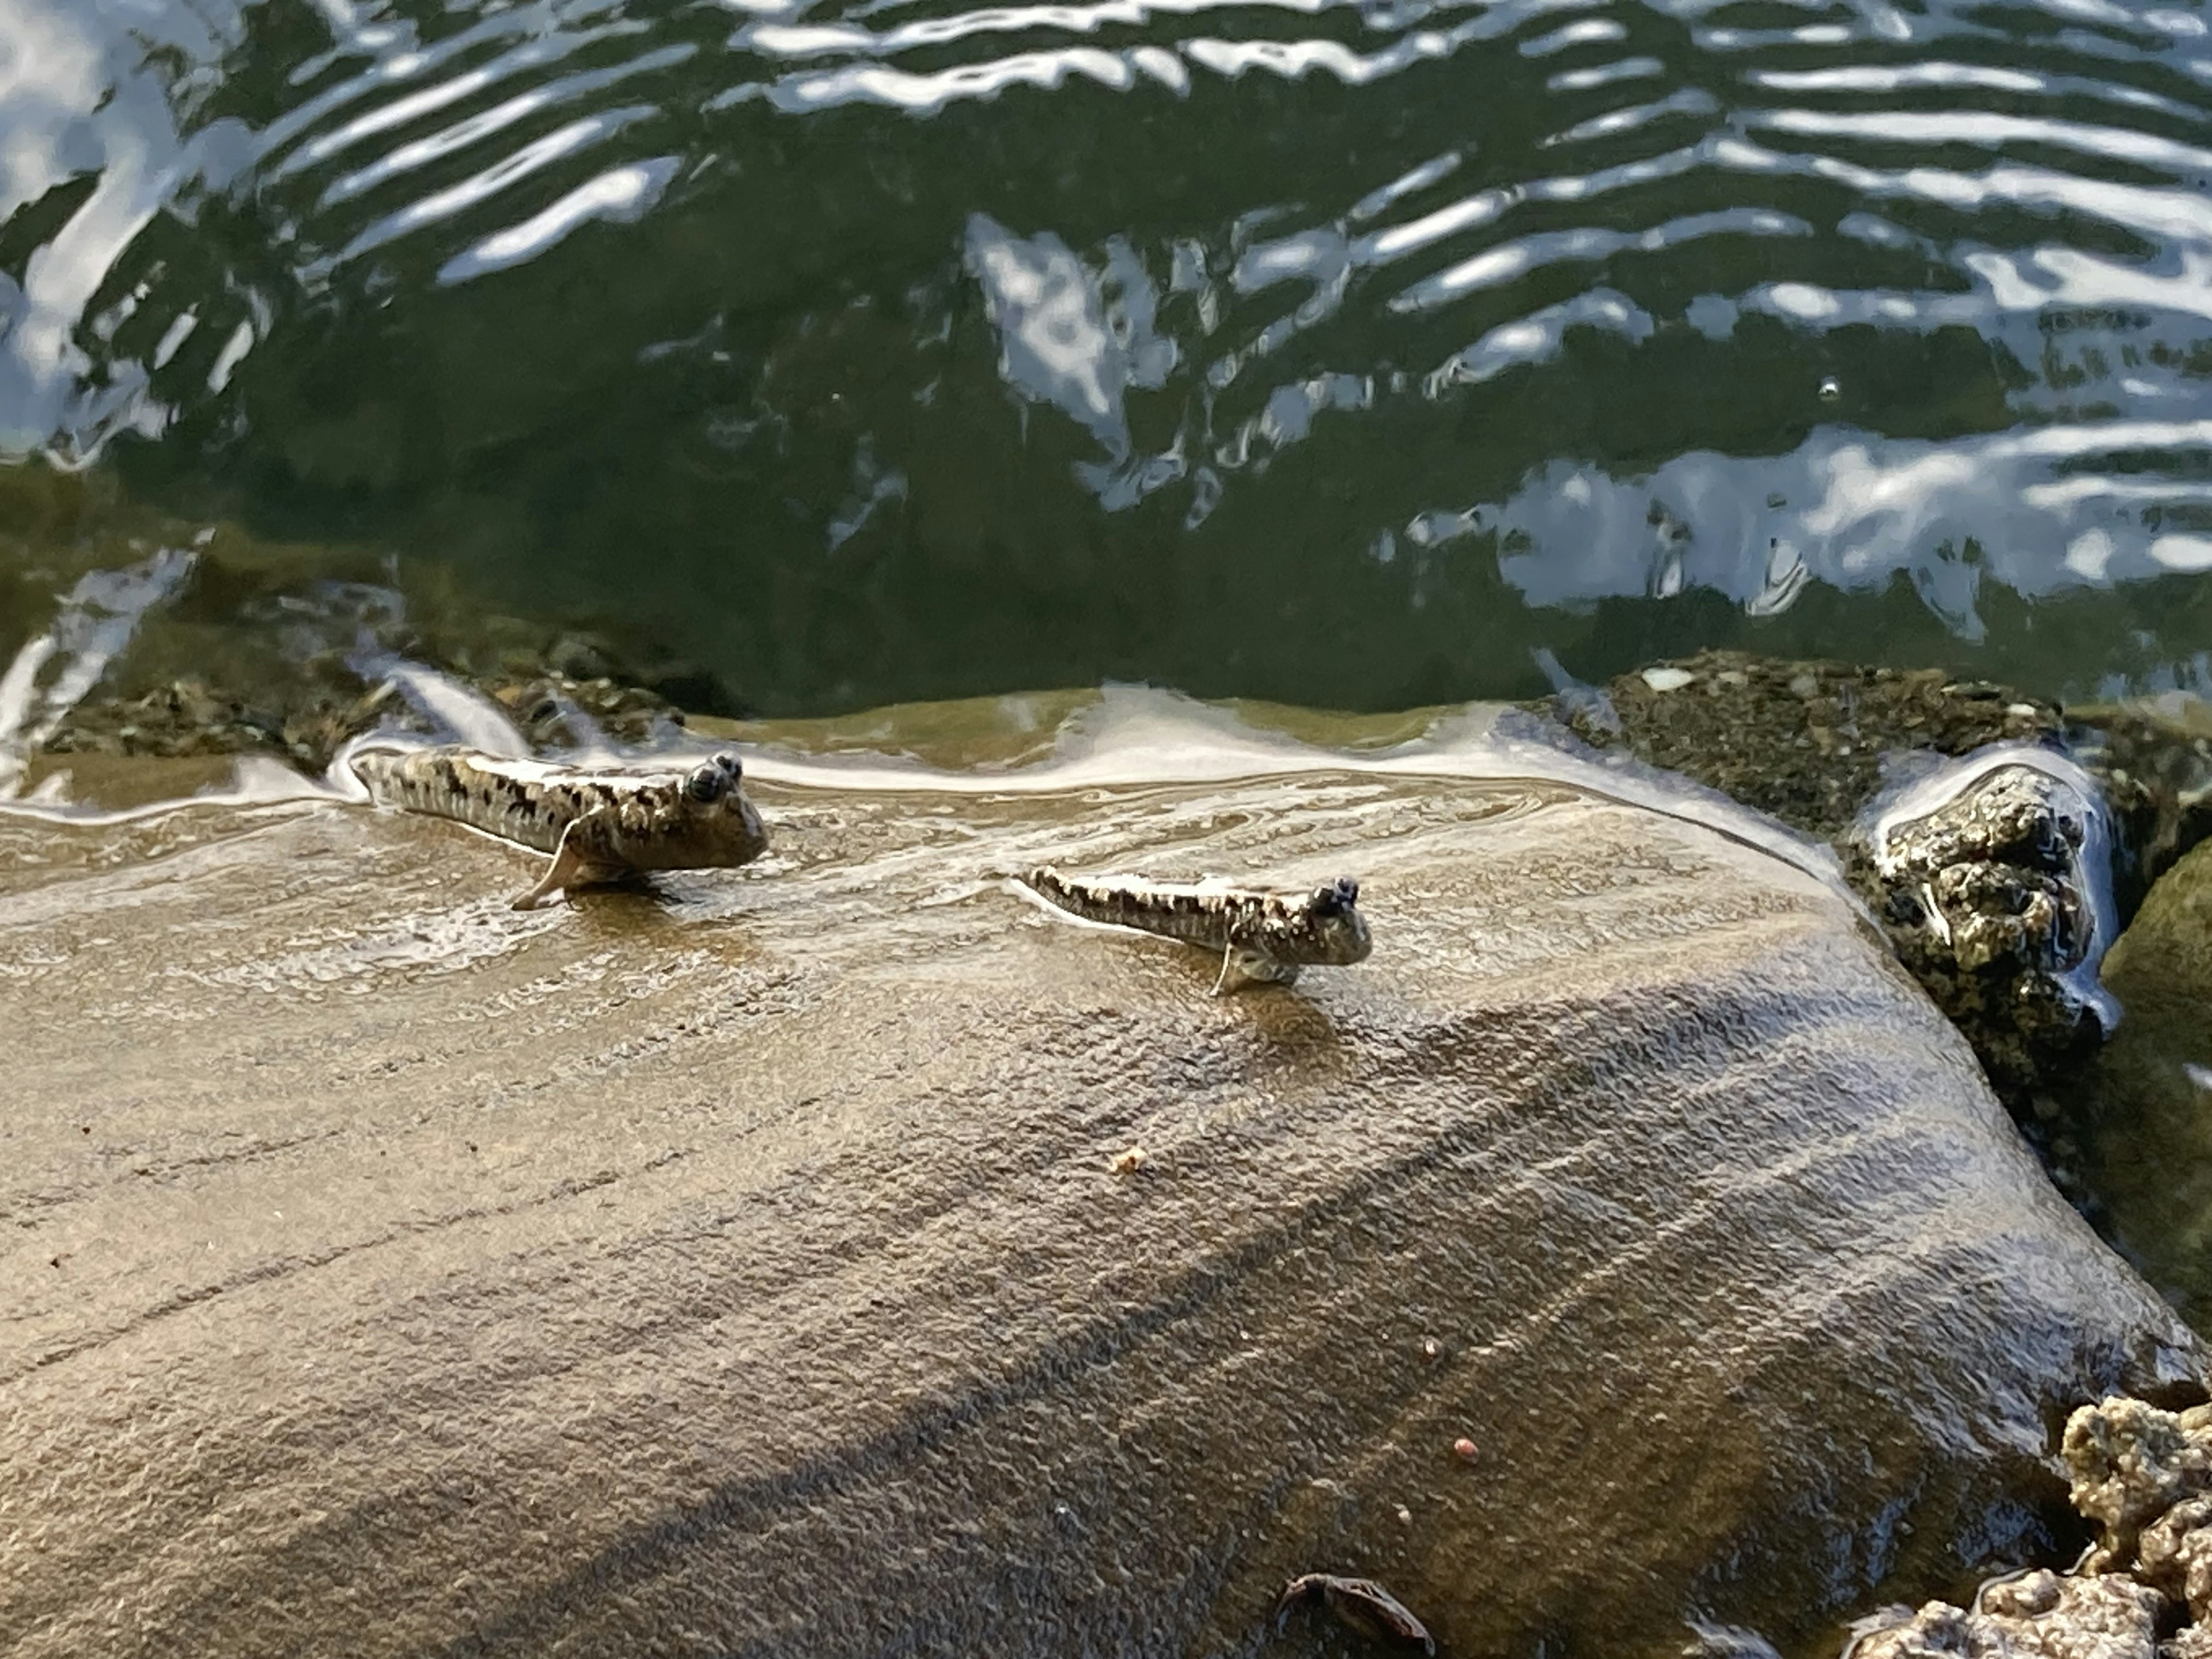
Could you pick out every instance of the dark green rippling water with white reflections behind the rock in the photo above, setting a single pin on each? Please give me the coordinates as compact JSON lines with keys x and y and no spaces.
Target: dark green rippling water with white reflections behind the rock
{"x":1350,"y":353}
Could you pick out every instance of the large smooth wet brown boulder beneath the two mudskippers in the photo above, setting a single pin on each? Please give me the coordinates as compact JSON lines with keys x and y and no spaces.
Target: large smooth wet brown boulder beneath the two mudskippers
{"x":749,"y":1271}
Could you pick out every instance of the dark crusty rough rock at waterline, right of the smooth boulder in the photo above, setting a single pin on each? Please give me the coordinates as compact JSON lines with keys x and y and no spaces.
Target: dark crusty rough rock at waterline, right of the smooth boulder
{"x":1996,"y":904}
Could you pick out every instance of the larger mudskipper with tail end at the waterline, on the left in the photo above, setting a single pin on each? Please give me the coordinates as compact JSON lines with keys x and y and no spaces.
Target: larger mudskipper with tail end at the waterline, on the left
{"x":598,"y":824}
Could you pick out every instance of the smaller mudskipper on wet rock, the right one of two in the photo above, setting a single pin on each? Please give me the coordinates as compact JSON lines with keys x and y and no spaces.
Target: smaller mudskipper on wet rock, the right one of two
{"x":1264,"y":939}
